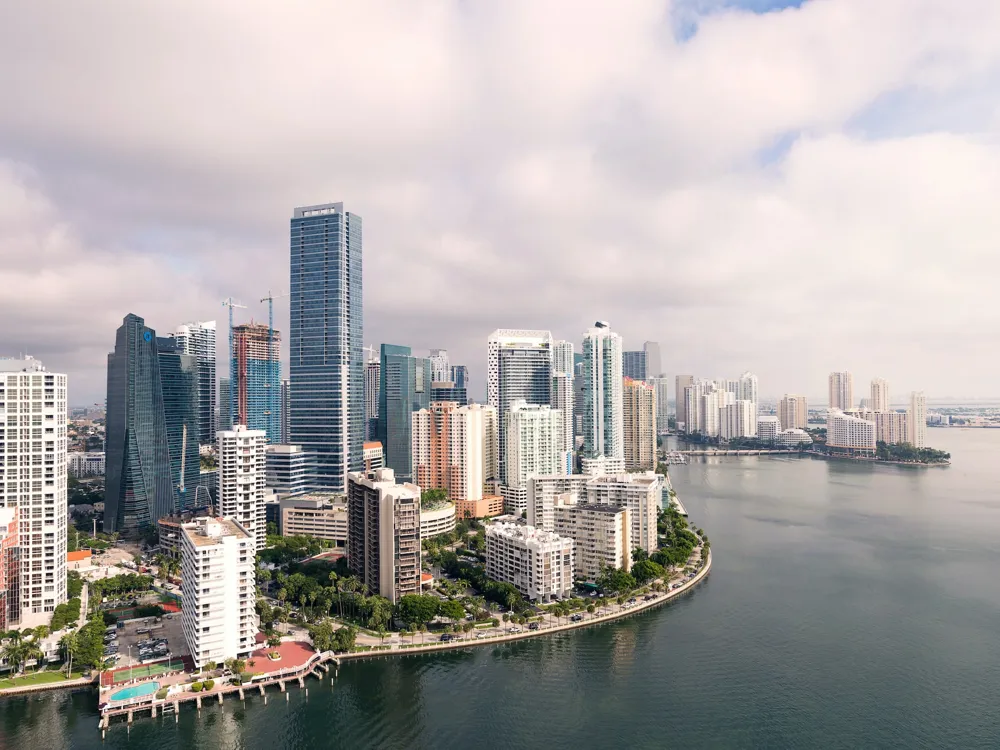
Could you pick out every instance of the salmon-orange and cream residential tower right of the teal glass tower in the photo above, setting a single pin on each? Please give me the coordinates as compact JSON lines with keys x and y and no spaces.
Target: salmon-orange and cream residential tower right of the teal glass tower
{"x":448,"y":449}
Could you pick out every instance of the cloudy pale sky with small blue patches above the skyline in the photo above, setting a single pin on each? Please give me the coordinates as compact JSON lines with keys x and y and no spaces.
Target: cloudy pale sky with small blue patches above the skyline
{"x":783,"y":187}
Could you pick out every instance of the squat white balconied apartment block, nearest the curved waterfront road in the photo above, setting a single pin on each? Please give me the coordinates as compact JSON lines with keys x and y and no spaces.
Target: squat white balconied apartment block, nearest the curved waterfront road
{"x":538,"y":563}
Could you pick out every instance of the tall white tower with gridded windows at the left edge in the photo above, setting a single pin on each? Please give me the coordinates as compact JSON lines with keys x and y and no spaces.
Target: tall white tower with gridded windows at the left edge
{"x":33,"y":450}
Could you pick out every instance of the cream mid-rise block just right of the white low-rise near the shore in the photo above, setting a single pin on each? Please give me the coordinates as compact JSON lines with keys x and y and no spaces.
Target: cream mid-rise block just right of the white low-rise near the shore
{"x":601,"y":536}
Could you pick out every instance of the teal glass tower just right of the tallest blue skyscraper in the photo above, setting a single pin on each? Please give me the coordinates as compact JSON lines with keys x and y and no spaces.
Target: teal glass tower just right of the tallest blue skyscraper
{"x":405,"y":388}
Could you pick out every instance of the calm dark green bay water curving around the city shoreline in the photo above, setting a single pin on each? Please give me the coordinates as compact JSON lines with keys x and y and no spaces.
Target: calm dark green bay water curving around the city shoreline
{"x":848,"y":606}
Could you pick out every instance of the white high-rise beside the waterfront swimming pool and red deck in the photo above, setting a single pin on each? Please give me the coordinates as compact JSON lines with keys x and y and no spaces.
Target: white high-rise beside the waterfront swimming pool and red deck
{"x":218,"y":583}
